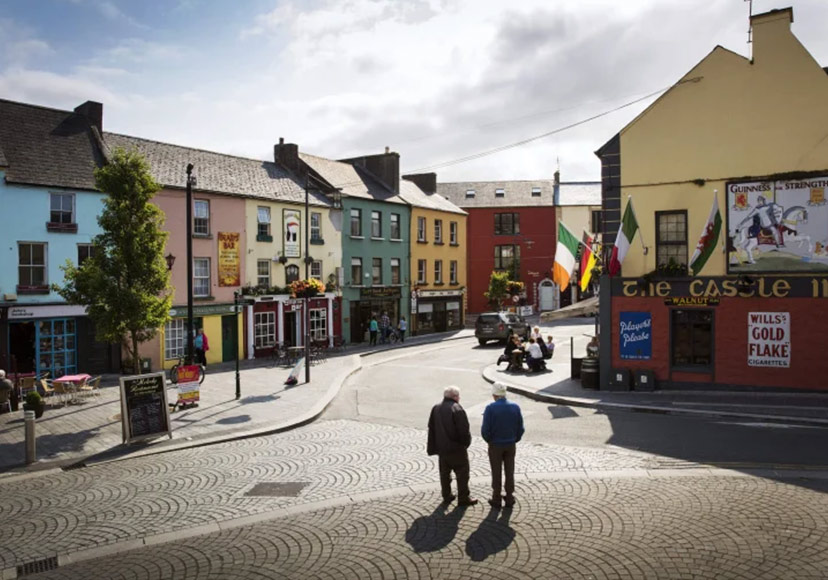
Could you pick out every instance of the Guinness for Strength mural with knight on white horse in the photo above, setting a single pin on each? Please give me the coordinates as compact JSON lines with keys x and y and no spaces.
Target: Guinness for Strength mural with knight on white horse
{"x":777,"y":226}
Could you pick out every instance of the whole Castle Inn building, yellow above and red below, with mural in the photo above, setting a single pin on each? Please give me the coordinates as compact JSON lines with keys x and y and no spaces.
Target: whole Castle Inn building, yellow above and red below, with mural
{"x":749,"y":133}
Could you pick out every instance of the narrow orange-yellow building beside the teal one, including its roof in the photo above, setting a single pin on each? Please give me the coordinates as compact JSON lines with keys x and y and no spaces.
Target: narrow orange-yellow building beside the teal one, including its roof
{"x":438,"y":257}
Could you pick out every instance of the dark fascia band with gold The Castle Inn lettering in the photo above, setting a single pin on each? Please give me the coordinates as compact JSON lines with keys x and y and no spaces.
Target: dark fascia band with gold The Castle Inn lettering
{"x":721,"y":287}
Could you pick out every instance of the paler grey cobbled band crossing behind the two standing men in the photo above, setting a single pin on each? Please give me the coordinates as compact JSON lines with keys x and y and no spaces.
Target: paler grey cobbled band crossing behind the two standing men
{"x":62,"y":512}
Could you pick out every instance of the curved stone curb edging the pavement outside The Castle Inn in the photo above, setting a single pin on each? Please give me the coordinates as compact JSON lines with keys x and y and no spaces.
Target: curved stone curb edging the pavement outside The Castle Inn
{"x":639,"y":408}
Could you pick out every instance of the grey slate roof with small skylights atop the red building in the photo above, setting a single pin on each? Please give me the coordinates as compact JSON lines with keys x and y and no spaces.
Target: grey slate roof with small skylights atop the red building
{"x":516,"y":193}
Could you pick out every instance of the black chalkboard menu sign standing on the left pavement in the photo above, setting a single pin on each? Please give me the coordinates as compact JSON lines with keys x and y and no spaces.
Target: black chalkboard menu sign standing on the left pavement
{"x":144,"y":410}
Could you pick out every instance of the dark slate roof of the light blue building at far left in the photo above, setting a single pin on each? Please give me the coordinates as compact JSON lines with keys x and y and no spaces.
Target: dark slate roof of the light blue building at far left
{"x":47,"y":147}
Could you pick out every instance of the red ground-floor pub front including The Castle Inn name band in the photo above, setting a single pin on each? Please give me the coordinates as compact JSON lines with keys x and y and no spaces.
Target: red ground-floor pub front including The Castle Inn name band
{"x":722,"y":332}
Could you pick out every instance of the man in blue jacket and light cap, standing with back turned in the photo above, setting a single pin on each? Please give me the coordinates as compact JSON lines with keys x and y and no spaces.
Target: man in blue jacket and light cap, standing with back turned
{"x":502,"y":429}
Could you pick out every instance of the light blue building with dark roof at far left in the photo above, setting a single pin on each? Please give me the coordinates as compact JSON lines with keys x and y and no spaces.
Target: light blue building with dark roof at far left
{"x":49,"y":207}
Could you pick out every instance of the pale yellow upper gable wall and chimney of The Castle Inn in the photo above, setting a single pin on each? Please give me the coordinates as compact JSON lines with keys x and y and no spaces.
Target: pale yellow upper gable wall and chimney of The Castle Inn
{"x":738,"y":119}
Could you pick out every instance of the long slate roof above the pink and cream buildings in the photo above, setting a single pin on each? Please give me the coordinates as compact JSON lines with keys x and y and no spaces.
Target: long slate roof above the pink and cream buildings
{"x":216,"y":172}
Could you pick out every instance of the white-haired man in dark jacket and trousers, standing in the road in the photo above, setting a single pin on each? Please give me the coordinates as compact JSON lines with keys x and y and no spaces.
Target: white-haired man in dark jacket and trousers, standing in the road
{"x":449,"y":438}
